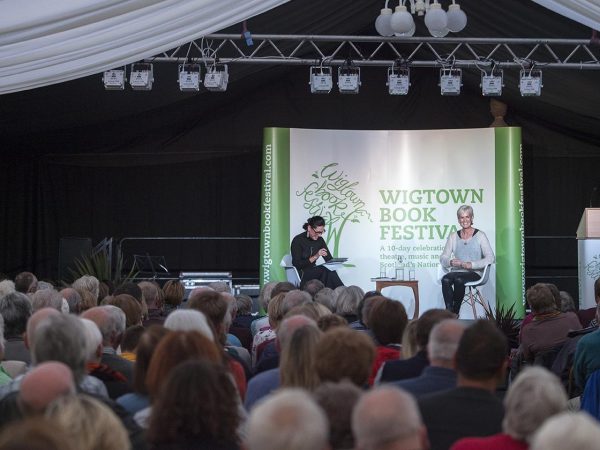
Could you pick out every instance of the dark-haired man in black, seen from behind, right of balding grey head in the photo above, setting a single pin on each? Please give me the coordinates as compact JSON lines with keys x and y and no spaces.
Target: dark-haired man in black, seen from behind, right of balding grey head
{"x":470,"y":409}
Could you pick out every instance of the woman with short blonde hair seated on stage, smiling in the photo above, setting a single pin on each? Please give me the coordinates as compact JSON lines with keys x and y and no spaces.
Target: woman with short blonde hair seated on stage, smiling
{"x":466,"y":254}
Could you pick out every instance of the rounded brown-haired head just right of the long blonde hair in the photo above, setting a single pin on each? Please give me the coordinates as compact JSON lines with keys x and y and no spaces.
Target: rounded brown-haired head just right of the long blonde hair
{"x":344,"y":353}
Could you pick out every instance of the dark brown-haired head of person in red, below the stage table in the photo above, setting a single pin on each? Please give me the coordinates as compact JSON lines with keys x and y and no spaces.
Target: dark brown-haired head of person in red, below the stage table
{"x":387,"y":321}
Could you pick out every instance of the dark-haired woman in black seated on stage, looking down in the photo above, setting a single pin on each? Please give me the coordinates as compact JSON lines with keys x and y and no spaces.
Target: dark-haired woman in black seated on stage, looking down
{"x":306,"y":248}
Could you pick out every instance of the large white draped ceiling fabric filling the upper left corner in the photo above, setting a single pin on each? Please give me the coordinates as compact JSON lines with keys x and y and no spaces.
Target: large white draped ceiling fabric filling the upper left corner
{"x":46,"y":42}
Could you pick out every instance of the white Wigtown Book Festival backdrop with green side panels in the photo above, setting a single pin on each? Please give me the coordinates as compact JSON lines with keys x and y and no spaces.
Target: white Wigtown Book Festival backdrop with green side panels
{"x":389,"y":199}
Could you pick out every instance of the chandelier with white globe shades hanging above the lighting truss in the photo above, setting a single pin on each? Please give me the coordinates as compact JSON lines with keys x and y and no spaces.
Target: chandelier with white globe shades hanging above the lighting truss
{"x":400,"y":22}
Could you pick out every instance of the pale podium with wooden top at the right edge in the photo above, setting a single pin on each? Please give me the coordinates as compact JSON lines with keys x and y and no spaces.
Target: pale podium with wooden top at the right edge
{"x":588,"y":255}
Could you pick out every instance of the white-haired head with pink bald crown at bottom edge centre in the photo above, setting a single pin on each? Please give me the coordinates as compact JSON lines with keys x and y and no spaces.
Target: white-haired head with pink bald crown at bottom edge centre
{"x":289,"y":419}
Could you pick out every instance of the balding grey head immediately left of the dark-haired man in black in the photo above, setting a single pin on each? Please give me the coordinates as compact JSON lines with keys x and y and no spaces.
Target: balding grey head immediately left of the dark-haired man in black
{"x":443,"y":342}
